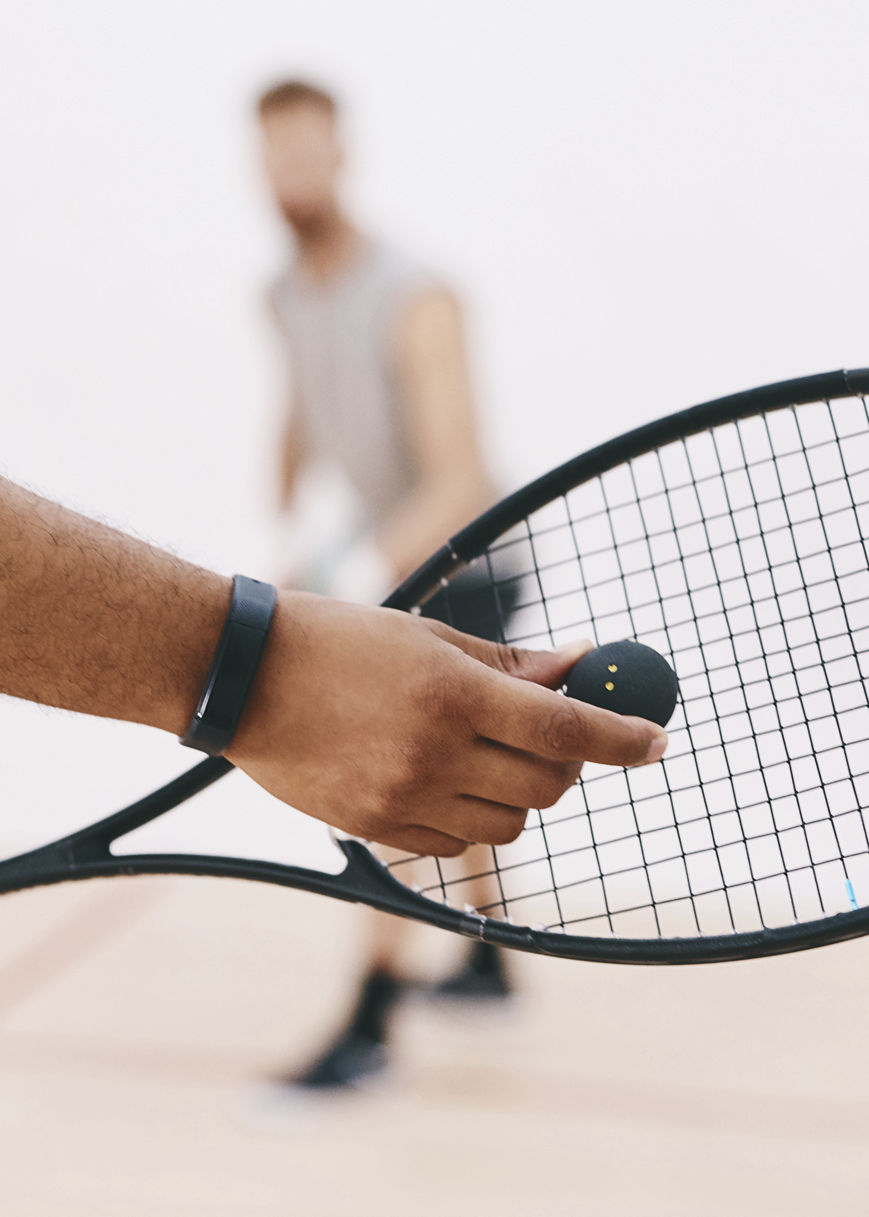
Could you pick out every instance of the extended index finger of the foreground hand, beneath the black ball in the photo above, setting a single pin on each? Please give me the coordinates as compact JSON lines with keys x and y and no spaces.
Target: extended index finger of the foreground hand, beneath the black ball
{"x":548,"y":725}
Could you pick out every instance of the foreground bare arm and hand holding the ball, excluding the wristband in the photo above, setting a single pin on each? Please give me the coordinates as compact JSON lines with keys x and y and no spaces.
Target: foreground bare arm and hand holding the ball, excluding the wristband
{"x":391,"y":727}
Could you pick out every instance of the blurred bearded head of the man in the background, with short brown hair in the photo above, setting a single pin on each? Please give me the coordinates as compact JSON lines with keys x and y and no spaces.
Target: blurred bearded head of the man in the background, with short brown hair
{"x":302,"y":153}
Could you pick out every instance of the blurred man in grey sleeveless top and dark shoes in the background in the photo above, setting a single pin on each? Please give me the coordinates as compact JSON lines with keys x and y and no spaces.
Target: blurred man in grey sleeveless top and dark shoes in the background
{"x":382,"y":392}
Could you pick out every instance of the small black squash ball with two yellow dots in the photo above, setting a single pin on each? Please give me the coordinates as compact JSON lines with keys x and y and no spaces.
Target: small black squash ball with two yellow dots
{"x":627,"y":678}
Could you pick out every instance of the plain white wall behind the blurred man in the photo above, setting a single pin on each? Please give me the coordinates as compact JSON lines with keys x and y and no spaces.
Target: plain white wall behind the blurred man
{"x":647,"y":205}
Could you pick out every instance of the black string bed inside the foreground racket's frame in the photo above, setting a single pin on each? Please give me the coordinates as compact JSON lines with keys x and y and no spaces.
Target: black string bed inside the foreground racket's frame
{"x":742,"y":556}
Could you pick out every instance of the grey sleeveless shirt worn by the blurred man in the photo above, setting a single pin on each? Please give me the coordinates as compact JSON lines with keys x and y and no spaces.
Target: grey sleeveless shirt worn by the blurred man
{"x":343,"y":345}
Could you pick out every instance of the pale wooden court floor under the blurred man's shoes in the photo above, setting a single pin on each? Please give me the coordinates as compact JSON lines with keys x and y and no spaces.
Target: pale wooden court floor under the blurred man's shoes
{"x":138,"y":1017}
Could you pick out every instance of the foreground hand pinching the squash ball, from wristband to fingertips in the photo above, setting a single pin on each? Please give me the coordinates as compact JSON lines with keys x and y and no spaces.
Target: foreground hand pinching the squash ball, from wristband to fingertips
{"x":402,"y":731}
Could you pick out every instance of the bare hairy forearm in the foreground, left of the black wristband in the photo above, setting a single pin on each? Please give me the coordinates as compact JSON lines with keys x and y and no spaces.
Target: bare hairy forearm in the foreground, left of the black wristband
{"x":99,"y":622}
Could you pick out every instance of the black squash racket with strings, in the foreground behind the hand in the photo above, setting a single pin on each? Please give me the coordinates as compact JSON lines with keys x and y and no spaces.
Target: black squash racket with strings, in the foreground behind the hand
{"x":732,"y":540}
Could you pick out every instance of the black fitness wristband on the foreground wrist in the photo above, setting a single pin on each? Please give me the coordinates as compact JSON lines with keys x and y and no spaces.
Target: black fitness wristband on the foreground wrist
{"x":237,"y":659}
